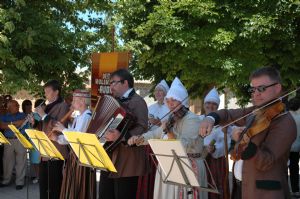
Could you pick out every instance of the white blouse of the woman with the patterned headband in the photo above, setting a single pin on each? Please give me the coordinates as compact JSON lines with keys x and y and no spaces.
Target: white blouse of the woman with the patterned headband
{"x":79,"y":124}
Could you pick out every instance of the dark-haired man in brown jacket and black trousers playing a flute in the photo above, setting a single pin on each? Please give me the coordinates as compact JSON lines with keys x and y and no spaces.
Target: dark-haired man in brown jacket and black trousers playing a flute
{"x":55,"y":110}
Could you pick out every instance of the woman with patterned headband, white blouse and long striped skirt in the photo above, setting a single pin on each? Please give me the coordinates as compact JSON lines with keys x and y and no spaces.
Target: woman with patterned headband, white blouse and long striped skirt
{"x":78,"y":181}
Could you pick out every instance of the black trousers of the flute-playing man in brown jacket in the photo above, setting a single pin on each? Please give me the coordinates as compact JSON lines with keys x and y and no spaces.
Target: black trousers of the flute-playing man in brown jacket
{"x":50,"y":172}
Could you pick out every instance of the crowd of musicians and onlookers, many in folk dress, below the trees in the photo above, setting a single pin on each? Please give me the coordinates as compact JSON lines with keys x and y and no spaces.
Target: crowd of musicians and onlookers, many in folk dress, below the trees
{"x":263,"y":140}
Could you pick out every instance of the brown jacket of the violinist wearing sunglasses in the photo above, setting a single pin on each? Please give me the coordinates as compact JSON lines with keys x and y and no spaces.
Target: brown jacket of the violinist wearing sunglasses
{"x":265,"y":174}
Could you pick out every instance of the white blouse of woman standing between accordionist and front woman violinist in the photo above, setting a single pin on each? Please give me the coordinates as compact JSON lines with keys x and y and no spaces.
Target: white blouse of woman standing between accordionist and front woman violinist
{"x":158,"y":111}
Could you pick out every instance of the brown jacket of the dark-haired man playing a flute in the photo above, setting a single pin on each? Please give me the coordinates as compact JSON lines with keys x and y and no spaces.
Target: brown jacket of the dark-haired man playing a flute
{"x":56,"y":113}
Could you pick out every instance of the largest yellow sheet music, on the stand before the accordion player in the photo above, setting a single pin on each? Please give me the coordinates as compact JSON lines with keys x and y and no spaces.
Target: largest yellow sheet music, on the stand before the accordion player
{"x":89,"y":150}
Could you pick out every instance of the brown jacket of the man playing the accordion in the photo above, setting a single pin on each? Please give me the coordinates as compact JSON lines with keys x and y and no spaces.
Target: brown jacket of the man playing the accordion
{"x":132,"y":161}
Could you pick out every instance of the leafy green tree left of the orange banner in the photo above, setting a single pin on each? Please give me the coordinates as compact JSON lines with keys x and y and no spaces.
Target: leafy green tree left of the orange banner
{"x":42,"y":40}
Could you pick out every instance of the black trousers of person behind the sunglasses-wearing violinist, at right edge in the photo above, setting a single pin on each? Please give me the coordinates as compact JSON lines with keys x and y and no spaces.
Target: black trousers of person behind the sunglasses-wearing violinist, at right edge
{"x":294,"y":171}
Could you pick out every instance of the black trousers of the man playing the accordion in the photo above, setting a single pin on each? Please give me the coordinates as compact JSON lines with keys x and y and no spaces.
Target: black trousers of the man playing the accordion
{"x":117,"y":188}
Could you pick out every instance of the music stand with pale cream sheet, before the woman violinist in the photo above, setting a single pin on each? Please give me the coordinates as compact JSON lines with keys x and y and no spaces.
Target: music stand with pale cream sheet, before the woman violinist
{"x":175,"y":165}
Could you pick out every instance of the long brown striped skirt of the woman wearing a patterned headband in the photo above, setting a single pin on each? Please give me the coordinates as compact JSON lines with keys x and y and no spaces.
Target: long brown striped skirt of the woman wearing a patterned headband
{"x":79,"y":182}
